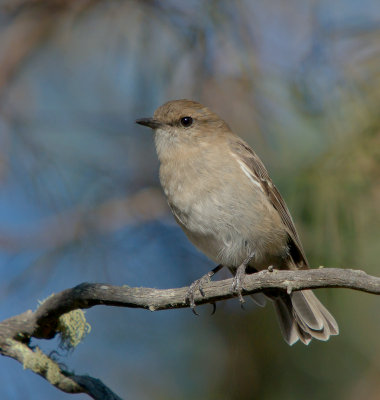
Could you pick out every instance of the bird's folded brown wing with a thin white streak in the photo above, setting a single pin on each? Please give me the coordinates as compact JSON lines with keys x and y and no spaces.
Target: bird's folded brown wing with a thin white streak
{"x":258,"y":173}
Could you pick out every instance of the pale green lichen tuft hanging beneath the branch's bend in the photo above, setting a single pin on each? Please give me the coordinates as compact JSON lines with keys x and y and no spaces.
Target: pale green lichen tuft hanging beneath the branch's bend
{"x":72,"y":328}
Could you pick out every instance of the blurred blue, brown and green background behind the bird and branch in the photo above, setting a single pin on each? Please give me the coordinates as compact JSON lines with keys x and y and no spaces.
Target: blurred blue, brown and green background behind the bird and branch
{"x":80,"y":198}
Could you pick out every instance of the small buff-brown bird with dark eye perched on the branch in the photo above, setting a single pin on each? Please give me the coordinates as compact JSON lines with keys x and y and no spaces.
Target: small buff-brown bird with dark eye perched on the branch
{"x":221,"y":195}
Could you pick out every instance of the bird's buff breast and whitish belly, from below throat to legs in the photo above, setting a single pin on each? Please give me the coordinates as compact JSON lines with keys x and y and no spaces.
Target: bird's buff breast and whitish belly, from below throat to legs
{"x":221,"y":211}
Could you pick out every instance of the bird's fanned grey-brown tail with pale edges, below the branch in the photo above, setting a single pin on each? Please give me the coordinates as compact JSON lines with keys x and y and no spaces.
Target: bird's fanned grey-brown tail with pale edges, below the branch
{"x":302,"y":316}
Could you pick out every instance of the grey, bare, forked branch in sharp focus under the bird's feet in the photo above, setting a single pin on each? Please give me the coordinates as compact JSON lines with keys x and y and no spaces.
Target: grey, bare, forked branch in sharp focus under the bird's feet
{"x":44,"y":323}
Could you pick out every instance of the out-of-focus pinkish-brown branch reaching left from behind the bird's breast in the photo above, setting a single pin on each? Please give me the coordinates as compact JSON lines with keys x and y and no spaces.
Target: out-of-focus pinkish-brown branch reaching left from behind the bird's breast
{"x":72,"y":225}
